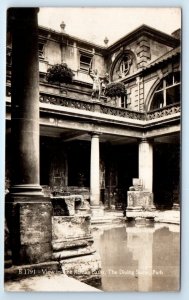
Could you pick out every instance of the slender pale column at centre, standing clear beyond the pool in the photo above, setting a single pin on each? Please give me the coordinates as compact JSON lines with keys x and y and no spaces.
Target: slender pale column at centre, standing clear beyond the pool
{"x":95,"y":175}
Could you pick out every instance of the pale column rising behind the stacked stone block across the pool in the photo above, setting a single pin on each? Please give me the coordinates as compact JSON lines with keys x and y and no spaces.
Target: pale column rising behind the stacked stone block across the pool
{"x":146,"y":164}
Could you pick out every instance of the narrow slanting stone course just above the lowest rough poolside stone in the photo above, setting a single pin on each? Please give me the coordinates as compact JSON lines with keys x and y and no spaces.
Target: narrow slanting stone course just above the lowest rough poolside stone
{"x":73,"y":252}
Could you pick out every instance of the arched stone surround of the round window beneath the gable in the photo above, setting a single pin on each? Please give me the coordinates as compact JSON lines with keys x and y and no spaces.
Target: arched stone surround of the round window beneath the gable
{"x":117,"y":62}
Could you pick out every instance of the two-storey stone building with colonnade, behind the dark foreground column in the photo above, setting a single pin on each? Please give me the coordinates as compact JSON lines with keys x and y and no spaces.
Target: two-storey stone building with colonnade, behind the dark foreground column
{"x":135,"y":136}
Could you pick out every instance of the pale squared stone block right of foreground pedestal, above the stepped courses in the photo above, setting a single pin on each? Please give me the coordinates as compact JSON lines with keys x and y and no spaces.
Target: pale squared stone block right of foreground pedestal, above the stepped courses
{"x":67,"y":227}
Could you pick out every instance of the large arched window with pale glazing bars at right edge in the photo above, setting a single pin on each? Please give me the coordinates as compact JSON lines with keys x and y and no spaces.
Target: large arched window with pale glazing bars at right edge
{"x":167,"y":92}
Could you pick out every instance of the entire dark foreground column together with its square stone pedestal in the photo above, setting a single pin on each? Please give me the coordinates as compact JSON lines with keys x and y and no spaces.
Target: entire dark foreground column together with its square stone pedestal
{"x":28,"y":212}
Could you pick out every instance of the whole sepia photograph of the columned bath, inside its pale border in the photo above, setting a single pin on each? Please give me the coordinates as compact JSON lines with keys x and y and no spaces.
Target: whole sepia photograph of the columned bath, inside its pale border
{"x":93,"y":149}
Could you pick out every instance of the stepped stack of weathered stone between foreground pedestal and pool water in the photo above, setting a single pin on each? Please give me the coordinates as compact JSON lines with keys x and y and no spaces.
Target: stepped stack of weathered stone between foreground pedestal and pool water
{"x":73,"y":247}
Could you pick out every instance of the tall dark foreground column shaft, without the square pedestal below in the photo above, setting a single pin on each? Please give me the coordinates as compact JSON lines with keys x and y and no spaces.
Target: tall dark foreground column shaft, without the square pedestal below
{"x":25,"y":102}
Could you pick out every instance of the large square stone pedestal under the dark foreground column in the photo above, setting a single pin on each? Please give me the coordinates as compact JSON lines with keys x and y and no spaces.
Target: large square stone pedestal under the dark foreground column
{"x":30,"y":225}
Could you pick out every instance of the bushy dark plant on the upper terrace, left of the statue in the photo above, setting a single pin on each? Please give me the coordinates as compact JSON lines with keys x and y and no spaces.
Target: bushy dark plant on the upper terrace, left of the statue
{"x":60,"y":73}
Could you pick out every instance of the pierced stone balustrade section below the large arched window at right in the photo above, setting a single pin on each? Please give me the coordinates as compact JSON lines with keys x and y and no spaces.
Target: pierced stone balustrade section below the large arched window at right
{"x":164,"y":111}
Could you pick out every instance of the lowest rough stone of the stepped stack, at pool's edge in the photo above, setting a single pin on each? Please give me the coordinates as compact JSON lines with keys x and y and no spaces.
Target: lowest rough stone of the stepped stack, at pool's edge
{"x":83,"y":267}
